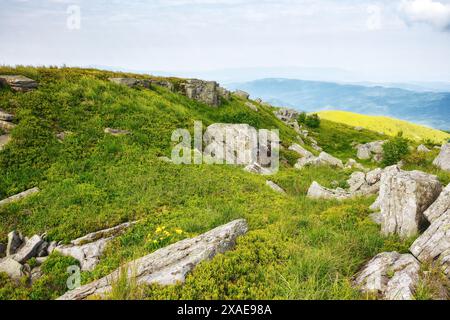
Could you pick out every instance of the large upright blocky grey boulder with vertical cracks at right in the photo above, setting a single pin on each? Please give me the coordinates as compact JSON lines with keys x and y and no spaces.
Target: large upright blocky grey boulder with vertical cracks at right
{"x":404,"y":196}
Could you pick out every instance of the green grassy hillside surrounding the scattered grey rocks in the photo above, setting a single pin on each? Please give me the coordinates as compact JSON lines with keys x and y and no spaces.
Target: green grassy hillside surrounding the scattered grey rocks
{"x":296,"y":248}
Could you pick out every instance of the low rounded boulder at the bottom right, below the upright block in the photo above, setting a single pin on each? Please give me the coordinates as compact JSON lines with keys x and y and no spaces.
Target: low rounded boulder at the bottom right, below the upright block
{"x":390,"y":275}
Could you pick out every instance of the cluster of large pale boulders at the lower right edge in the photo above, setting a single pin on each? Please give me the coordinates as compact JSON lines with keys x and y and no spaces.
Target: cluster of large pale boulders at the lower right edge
{"x":410,"y":202}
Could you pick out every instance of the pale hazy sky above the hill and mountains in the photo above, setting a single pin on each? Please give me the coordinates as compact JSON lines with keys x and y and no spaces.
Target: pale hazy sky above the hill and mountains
{"x":385,"y":40}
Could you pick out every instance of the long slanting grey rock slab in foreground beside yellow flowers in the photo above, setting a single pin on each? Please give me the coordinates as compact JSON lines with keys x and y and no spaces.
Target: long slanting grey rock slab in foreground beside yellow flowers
{"x":169,"y":265}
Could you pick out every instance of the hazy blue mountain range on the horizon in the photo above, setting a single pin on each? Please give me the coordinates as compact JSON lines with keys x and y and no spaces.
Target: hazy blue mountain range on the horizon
{"x":420,"y":106}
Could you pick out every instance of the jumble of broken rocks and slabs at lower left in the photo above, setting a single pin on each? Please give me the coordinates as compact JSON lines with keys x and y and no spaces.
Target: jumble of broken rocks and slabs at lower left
{"x":19,"y":250}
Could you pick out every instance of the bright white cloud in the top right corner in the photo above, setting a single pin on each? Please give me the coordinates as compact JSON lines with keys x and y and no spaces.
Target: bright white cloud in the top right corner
{"x":429,"y":12}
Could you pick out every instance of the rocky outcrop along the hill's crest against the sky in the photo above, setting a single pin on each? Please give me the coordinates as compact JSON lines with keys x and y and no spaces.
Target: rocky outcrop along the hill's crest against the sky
{"x":208,"y":92}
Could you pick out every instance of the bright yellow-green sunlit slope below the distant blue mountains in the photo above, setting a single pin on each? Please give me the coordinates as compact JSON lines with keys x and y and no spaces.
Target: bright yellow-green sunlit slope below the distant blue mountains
{"x":389,"y":126}
